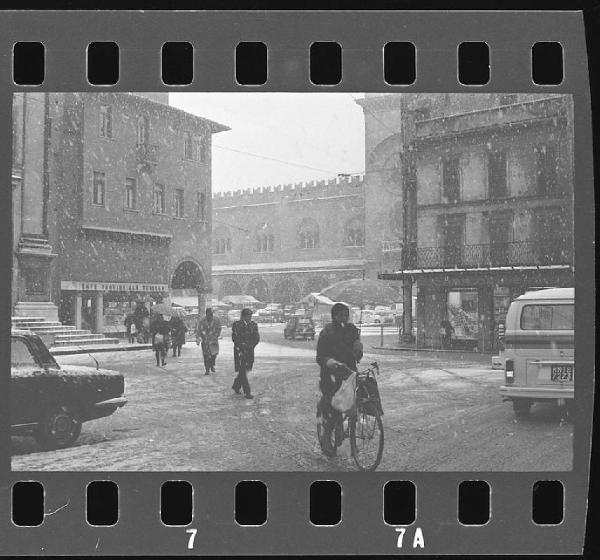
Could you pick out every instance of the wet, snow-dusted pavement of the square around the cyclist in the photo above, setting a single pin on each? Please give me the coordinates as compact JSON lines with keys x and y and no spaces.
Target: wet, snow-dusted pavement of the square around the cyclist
{"x":443,"y":412}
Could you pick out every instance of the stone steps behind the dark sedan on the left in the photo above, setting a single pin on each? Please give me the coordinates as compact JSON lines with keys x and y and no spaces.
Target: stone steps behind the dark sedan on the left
{"x":55,"y":334}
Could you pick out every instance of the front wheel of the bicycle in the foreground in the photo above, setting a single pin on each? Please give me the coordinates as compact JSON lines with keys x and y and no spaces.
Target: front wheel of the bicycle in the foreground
{"x":366,"y":437}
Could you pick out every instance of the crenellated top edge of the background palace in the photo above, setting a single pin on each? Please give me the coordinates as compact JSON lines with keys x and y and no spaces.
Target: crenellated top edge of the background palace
{"x":337,"y":186}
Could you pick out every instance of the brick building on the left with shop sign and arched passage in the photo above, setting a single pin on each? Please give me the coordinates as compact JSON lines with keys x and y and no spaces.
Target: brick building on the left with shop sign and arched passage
{"x":125,"y":203}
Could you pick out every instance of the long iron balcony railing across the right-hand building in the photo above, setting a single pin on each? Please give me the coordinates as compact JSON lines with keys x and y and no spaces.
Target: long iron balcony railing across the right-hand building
{"x":519,"y":253}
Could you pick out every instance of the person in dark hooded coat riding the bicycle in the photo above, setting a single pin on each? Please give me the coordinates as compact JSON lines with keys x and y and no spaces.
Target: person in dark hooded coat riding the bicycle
{"x":339,"y":344}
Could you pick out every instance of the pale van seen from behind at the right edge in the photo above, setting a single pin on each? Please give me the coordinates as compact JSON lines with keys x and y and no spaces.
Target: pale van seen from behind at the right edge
{"x":540,"y":349}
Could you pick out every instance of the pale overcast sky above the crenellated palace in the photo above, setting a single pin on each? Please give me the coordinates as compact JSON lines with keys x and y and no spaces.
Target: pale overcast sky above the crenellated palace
{"x":280,"y":137}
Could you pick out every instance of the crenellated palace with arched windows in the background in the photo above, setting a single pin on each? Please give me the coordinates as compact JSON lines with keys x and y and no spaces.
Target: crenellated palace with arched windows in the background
{"x":281,"y":243}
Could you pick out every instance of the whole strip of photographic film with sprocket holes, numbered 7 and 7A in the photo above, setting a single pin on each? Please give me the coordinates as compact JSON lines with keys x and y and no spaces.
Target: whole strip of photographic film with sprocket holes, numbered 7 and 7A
{"x":446,"y":98}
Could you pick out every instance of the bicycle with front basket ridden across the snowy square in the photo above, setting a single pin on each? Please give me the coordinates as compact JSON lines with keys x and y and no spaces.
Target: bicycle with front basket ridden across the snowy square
{"x":362,"y":424}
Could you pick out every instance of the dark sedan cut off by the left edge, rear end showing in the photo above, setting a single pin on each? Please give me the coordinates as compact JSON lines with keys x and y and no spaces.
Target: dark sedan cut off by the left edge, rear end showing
{"x":51,"y":402}
